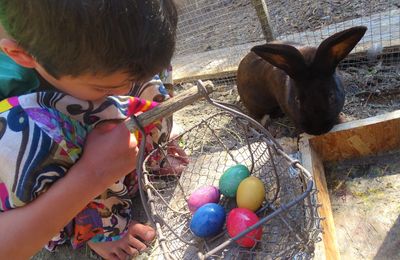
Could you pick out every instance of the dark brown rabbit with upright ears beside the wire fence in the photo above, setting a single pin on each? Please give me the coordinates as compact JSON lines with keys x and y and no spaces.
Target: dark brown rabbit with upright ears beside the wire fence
{"x":299,"y":80}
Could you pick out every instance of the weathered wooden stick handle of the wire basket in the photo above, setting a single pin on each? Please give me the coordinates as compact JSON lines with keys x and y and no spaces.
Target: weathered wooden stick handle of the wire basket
{"x":172,"y":105}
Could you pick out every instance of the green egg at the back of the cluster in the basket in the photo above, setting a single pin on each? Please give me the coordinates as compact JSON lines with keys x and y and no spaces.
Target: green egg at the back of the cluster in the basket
{"x":230,"y":180}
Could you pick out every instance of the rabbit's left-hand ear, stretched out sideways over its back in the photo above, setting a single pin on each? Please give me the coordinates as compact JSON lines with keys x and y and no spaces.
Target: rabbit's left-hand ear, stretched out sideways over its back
{"x":285,"y":57}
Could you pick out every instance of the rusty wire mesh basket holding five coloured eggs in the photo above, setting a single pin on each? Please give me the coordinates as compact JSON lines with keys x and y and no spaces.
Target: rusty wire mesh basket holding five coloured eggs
{"x":288,"y":216}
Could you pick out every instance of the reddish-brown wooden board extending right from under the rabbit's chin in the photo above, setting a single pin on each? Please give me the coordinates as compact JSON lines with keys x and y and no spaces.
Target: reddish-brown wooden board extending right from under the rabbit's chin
{"x":359,"y":138}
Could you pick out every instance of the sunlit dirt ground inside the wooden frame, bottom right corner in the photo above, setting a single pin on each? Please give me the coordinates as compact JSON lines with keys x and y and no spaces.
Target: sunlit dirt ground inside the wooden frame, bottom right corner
{"x":366,"y":206}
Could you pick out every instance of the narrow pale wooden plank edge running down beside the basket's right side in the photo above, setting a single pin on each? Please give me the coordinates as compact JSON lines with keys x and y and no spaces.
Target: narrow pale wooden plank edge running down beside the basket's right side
{"x":312,"y":162}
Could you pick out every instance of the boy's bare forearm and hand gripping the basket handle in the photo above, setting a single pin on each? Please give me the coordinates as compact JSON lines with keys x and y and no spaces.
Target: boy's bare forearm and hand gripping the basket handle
{"x":109,"y":153}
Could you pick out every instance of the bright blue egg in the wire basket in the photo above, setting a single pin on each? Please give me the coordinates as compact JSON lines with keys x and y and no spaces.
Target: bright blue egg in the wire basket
{"x":208,"y":220}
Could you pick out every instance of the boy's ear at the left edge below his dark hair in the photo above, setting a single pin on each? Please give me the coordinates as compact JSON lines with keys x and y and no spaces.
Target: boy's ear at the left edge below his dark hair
{"x":15,"y":52}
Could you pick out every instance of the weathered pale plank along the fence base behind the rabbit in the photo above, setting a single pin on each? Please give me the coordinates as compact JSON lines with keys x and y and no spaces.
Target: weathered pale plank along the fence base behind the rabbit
{"x":383,"y":29}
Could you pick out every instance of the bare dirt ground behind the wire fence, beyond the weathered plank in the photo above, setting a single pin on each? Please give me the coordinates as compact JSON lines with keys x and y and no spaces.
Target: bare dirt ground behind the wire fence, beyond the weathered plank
{"x":208,"y":25}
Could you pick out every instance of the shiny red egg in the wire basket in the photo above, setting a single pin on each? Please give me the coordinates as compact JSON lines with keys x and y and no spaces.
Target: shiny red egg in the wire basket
{"x":239,"y":219}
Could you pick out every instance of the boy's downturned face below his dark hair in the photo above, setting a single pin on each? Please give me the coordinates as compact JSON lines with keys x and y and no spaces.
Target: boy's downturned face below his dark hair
{"x":90,"y":87}
